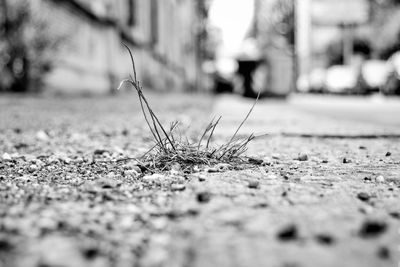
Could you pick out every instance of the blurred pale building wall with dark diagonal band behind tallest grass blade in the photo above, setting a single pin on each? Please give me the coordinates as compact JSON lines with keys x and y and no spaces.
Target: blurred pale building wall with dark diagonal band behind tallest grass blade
{"x":161,"y":33}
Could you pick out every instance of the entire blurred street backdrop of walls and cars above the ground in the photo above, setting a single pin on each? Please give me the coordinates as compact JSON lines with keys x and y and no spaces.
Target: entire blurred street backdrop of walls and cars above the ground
{"x":275,"y":47}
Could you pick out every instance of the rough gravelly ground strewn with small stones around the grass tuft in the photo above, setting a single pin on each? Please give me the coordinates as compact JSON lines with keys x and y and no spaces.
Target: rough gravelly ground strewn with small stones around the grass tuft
{"x":68,"y":200}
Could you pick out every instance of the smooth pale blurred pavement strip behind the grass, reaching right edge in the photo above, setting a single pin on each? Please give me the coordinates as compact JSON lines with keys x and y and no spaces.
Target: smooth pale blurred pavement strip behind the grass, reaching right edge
{"x":307,"y":115}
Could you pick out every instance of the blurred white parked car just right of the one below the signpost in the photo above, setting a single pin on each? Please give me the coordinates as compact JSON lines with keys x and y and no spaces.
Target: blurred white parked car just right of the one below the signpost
{"x":373,"y":76}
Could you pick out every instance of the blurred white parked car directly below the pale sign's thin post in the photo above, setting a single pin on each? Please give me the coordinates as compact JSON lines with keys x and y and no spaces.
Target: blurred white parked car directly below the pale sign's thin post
{"x":341,"y":79}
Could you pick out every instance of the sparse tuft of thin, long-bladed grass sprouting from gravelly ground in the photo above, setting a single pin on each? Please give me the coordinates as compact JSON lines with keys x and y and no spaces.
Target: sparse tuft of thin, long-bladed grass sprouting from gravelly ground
{"x":171,"y":148}
